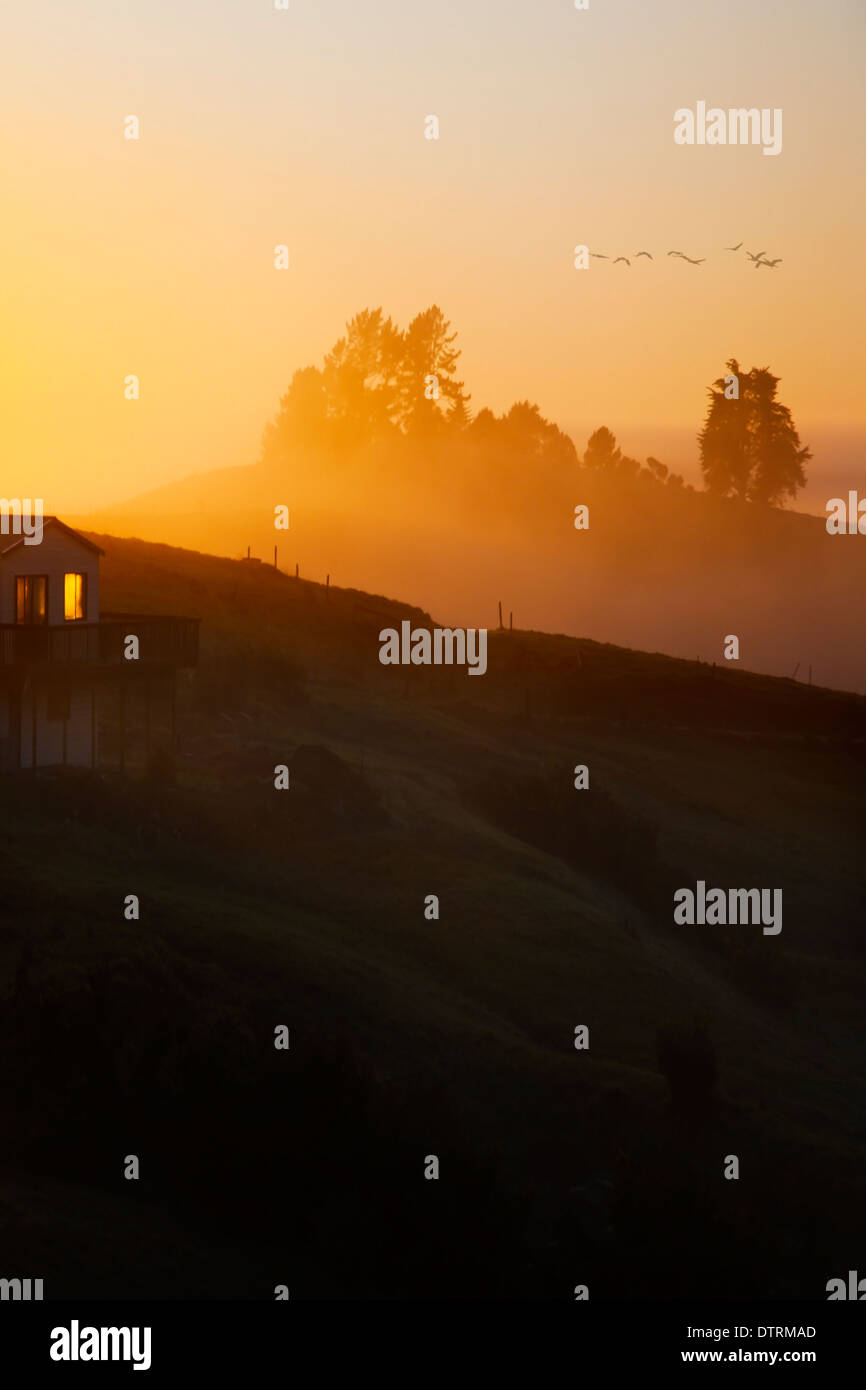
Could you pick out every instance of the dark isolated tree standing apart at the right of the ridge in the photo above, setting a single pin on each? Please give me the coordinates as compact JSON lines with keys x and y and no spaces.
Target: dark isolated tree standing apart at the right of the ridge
{"x":750,"y":447}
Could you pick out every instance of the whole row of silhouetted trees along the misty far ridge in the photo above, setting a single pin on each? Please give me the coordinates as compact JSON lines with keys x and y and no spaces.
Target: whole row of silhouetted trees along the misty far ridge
{"x":383,"y":384}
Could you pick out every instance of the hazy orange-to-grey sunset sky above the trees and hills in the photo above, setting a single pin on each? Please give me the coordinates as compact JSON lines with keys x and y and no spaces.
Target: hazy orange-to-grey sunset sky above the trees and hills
{"x":307,"y":127}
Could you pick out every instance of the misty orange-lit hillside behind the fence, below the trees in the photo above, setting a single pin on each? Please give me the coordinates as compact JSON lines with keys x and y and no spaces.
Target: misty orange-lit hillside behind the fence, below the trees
{"x":457,"y":537}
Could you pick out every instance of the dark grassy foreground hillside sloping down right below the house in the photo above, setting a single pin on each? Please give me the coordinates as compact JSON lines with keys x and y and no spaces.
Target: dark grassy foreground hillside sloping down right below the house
{"x":451,"y":1036}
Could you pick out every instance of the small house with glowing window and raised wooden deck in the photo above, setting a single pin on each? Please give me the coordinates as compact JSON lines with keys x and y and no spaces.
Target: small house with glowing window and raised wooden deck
{"x":69,"y":669}
